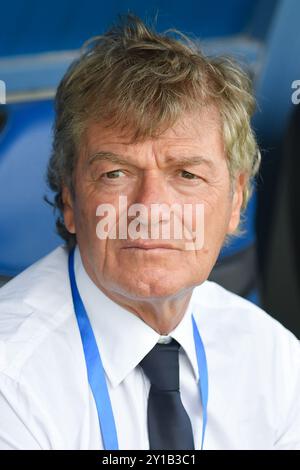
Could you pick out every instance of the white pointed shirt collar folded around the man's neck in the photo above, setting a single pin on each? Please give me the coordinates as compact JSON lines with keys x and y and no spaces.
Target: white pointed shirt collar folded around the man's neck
{"x":123,"y":338}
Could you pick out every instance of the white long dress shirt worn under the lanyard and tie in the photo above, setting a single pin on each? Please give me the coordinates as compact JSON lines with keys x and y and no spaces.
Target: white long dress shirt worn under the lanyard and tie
{"x":45,"y":398}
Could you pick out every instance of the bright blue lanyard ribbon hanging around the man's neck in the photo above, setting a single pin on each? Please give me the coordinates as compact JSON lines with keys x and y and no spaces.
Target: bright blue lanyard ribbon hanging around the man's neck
{"x":96,"y":373}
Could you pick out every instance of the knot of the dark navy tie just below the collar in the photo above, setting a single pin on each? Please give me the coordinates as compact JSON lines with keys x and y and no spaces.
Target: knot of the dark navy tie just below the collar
{"x":161,"y":366}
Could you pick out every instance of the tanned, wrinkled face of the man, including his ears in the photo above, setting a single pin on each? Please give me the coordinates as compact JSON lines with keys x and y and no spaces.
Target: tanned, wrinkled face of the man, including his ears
{"x":184,"y":165}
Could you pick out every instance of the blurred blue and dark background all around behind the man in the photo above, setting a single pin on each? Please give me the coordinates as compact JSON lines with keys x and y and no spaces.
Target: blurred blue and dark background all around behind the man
{"x":38,"y":40}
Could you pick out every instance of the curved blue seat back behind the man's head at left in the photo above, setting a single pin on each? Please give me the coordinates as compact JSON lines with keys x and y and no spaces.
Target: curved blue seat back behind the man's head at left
{"x":27,"y":227}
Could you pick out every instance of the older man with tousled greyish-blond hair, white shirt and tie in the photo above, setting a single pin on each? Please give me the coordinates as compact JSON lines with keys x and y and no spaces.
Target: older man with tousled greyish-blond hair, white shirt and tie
{"x":116,"y":340}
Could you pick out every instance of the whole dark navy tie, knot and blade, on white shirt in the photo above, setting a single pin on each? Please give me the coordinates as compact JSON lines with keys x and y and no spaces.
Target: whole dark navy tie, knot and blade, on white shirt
{"x":169,"y":426}
